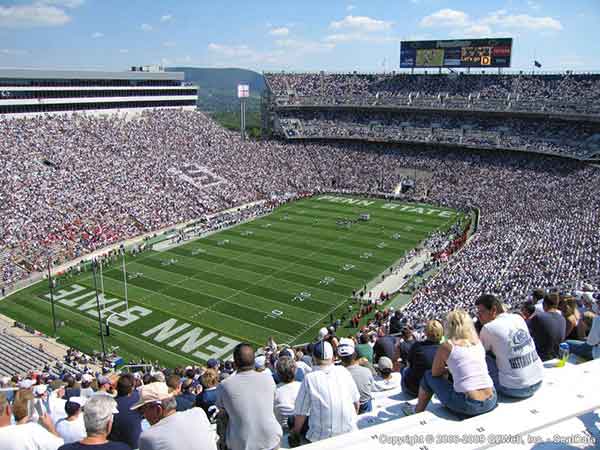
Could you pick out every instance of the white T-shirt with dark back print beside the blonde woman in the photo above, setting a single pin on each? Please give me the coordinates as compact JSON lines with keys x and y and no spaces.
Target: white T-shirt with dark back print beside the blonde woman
{"x":507,"y":336}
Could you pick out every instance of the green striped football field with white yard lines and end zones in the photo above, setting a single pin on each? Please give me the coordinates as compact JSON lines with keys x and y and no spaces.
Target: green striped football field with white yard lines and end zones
{"x":281,"y":275}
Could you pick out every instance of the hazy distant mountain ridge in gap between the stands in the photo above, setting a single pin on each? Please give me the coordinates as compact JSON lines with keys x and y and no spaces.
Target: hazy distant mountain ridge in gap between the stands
{"x":222,"y":79}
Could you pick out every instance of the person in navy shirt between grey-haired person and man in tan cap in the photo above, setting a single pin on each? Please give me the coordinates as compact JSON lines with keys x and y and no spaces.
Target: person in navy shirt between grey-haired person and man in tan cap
{"x":127,"y":425}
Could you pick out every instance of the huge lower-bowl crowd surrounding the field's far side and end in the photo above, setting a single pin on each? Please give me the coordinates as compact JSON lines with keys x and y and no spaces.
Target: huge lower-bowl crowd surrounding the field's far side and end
{"x":109,"y":181}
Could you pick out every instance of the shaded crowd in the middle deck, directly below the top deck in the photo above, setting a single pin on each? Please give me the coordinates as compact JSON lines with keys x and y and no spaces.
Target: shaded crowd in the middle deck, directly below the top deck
{"x":544,"y":136}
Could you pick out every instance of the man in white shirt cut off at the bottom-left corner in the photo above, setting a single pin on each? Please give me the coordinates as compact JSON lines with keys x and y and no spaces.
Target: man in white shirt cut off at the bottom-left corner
{"x":29,"y":436}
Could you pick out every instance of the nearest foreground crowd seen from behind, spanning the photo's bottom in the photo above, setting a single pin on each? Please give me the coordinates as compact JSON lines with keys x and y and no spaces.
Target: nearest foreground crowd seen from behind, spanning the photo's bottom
{"x":278,"y":395}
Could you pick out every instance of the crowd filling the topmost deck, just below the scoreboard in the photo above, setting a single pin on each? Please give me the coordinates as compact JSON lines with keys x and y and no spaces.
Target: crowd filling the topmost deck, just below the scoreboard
{"x":560,"y":93}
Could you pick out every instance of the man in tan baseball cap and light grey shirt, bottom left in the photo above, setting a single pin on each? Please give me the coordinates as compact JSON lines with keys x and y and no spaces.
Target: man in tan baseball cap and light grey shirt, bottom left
{"x":171,"y":430}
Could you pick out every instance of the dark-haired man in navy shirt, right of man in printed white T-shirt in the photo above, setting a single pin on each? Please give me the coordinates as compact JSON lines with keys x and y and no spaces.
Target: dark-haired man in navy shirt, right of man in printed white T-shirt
{"x":548,"y":327}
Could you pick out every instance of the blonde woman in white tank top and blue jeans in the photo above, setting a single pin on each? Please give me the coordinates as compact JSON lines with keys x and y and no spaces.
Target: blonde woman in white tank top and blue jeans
{"x":472,"y":391}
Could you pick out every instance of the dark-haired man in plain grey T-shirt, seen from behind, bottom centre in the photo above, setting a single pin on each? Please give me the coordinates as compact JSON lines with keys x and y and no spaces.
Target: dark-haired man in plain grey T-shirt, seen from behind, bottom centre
{"x":248,"y":397}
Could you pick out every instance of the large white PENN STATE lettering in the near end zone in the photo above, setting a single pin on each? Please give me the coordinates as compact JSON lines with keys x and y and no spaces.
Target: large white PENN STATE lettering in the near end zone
{"x":184,"y":337}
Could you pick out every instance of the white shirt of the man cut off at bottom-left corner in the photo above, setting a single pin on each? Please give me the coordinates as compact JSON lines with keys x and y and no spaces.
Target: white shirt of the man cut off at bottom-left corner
{"x":29,"y":436}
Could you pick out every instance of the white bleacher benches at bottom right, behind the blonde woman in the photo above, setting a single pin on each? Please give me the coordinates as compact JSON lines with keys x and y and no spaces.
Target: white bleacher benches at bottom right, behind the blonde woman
{"x":566,"y":405}
